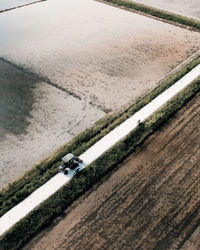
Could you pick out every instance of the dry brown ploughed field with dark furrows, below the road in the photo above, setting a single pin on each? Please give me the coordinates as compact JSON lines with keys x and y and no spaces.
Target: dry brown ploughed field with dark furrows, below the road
{"x":150,"y":202}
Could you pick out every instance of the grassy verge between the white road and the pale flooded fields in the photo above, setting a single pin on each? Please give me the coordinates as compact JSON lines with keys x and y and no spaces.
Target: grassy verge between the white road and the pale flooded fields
{"x":43,"y":171}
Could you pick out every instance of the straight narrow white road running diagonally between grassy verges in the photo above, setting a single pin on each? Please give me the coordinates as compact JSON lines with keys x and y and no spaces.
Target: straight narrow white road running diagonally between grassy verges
{"x":50,"y":187}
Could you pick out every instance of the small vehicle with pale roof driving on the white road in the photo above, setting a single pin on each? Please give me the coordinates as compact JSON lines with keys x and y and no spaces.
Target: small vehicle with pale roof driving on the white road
{"x":70,"y":163}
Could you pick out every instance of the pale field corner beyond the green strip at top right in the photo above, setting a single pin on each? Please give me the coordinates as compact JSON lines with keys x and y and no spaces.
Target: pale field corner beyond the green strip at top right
{"x":188,"y":8}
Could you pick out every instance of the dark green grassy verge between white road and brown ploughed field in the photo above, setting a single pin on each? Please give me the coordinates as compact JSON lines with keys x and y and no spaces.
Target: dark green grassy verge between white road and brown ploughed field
{"x":52,"y":207}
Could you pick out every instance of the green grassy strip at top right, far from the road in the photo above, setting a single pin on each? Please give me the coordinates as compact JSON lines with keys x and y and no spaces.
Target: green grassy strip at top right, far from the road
{"x":156,"y":12}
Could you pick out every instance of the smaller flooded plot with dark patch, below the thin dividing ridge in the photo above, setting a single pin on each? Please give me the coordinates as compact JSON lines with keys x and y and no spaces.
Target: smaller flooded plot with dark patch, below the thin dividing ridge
{"x":35,"y":118}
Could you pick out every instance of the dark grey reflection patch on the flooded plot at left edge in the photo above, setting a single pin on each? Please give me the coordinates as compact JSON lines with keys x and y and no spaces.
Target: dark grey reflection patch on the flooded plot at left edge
{"x":16,"y":99}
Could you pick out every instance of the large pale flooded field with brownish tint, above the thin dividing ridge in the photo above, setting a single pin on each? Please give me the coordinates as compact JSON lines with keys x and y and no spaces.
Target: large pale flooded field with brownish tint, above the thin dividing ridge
{"x":94,"y":50}
